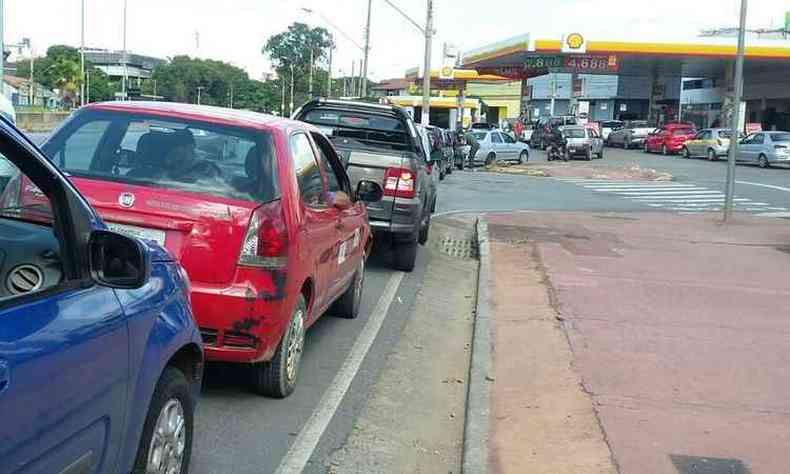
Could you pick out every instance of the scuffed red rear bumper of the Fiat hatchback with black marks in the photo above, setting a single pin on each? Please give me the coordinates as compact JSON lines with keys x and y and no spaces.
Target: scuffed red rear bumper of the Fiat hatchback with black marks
{"x":243,"y":321}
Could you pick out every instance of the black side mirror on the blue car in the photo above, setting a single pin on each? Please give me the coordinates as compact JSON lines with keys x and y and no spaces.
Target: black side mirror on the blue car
{"x":118,"y":261}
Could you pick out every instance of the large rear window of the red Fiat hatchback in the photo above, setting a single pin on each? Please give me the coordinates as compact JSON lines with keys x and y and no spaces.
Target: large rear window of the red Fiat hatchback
{"x":172,"y":153}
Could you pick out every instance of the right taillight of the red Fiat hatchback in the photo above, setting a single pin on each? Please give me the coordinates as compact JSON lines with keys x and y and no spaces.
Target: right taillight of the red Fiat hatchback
{"x":266,"y":241}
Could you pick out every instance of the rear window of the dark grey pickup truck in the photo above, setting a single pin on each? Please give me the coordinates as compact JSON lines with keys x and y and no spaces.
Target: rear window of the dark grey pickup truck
{"x":370,"y":129}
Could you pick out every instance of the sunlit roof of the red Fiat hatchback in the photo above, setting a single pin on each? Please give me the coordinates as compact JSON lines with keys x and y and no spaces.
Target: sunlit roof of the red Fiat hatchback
{"x":206,"y":113}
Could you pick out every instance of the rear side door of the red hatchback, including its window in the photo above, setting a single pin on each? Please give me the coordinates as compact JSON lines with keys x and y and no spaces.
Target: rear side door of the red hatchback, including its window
{"x":318,"y":229}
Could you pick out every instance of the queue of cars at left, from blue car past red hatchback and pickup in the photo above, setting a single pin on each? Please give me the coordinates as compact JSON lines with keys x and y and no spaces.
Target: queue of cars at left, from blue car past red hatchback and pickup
{"x":204,"y":234}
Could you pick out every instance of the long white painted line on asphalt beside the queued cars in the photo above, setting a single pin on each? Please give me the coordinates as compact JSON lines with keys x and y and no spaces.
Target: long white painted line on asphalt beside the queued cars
{"x":303,"y":446}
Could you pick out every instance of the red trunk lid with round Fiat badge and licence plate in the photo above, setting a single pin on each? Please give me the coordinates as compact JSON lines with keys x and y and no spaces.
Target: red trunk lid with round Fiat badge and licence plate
{"x":203,"y":232}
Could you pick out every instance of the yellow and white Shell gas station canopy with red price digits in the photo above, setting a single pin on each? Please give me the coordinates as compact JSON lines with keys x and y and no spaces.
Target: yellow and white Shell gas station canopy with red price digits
{"x":522,"y":57}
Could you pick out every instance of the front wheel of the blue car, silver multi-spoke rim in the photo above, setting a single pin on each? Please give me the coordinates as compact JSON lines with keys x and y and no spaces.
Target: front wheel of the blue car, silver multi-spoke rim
{"x":172,"y":398}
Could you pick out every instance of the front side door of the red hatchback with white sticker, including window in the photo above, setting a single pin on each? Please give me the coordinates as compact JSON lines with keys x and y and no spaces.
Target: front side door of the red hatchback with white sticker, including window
{"x":352,"y":230}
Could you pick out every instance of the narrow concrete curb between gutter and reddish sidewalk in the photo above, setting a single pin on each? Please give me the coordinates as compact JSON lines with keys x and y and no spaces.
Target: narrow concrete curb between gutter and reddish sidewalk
{"x":478,"y":400}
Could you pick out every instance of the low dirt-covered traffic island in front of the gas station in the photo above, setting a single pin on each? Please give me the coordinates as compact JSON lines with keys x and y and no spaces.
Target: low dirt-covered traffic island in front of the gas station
{"x":572,"y":169}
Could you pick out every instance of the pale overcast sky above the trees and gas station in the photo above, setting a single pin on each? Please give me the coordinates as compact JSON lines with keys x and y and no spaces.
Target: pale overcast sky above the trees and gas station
{"x":235,"y":30}
